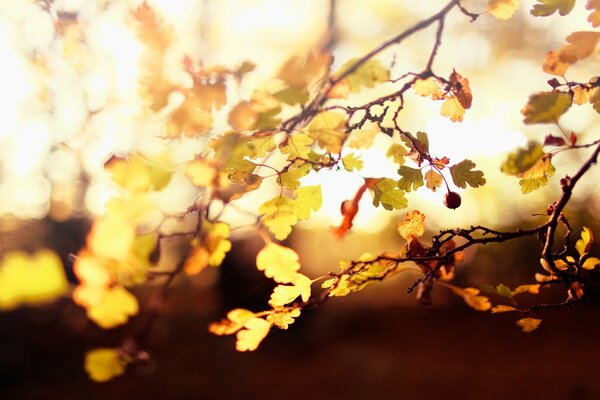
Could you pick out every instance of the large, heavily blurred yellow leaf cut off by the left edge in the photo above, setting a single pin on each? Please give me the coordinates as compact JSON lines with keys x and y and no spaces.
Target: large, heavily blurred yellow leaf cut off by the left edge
{"x":30,"y":279}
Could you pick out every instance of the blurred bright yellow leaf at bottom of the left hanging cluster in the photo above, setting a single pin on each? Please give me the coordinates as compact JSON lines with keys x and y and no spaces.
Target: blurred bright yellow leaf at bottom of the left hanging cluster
{"x":115,"y":308}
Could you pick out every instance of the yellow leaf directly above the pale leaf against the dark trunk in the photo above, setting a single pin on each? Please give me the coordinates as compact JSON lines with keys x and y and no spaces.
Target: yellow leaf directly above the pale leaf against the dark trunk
{"x":279,"y":215}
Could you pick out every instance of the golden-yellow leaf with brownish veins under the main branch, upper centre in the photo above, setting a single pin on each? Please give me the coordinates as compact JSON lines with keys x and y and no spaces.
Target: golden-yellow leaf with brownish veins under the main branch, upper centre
{"x":329,"y":130}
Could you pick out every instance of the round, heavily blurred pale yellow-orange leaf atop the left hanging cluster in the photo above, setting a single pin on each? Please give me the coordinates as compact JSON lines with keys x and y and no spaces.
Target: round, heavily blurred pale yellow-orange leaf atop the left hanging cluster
{"x":111,"y":236}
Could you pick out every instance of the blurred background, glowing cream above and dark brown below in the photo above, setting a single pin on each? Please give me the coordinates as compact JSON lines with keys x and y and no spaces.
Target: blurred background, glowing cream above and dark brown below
{"x":70,"y":72}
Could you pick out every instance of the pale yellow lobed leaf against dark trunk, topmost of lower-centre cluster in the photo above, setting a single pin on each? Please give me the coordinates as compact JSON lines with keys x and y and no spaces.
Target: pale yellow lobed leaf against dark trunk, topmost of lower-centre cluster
{"x":278,"y":262}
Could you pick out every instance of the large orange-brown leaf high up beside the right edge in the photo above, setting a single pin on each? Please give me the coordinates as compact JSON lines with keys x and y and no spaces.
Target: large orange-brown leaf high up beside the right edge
{"x":580,"y":45}
